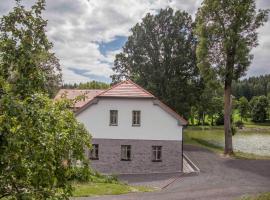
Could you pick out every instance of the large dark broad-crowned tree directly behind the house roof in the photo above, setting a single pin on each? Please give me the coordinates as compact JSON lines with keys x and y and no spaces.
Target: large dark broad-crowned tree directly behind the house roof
{"x":160,"y":56}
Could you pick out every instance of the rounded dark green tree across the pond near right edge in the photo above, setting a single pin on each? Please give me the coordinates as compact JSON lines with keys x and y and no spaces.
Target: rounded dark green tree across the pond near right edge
{"x":259,"y":107}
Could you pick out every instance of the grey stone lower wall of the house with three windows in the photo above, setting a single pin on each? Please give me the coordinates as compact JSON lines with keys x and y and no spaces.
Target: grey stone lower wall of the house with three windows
{"x":141,"y":157}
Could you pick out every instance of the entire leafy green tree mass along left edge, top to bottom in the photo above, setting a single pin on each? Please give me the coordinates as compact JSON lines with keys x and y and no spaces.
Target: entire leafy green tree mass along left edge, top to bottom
{"x":39,"y":138}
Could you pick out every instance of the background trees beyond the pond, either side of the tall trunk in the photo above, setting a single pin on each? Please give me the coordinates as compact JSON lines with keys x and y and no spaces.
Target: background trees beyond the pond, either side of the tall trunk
{"x":250,"y":101}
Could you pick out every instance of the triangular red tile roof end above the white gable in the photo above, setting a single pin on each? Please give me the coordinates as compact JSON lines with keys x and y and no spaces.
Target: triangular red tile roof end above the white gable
{"x":127,"y":89}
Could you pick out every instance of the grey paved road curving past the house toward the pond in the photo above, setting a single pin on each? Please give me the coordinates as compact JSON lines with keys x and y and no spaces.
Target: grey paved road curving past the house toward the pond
{"x":220,"y":179}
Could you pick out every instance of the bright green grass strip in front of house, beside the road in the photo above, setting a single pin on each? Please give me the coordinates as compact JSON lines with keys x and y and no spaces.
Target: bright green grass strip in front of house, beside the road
{"x":97,"y":189}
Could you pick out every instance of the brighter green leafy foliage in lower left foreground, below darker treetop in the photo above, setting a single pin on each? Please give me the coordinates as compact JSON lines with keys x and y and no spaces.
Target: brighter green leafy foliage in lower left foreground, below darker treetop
{"x":39,"y":139}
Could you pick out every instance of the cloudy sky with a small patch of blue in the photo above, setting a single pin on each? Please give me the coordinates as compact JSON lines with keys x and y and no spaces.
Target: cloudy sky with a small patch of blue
{"x":87,"y":34}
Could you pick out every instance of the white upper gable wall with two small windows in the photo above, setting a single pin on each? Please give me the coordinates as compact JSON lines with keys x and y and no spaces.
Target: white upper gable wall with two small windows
{"x":156,"y":124}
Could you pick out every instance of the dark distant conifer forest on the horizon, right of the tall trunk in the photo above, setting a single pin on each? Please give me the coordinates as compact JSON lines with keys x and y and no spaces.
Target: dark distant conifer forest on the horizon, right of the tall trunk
{"x":253,"y":86}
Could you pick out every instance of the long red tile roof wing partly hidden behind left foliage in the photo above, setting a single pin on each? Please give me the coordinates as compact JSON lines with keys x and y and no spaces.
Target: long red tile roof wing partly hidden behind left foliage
{"x":73,"y":93}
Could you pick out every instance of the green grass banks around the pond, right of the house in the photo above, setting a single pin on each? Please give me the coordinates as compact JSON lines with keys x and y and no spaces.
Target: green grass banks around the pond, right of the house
{"x":210,"y":136}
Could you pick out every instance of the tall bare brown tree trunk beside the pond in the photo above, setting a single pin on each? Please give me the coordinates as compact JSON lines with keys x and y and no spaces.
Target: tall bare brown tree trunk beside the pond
{"x":227,"y":118}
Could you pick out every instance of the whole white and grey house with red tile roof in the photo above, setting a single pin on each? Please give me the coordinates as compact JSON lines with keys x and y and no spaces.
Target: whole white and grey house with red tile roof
{"x":132,"y":131}
